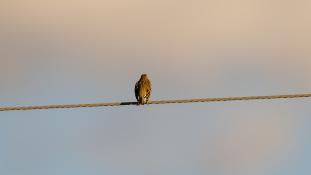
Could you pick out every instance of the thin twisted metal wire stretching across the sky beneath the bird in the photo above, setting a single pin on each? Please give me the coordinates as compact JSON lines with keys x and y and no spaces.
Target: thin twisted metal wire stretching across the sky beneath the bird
{"x":157,"y":102}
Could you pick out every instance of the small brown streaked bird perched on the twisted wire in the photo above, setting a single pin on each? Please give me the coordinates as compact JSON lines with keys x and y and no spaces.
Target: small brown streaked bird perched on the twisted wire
{"x":143,"y":90}
